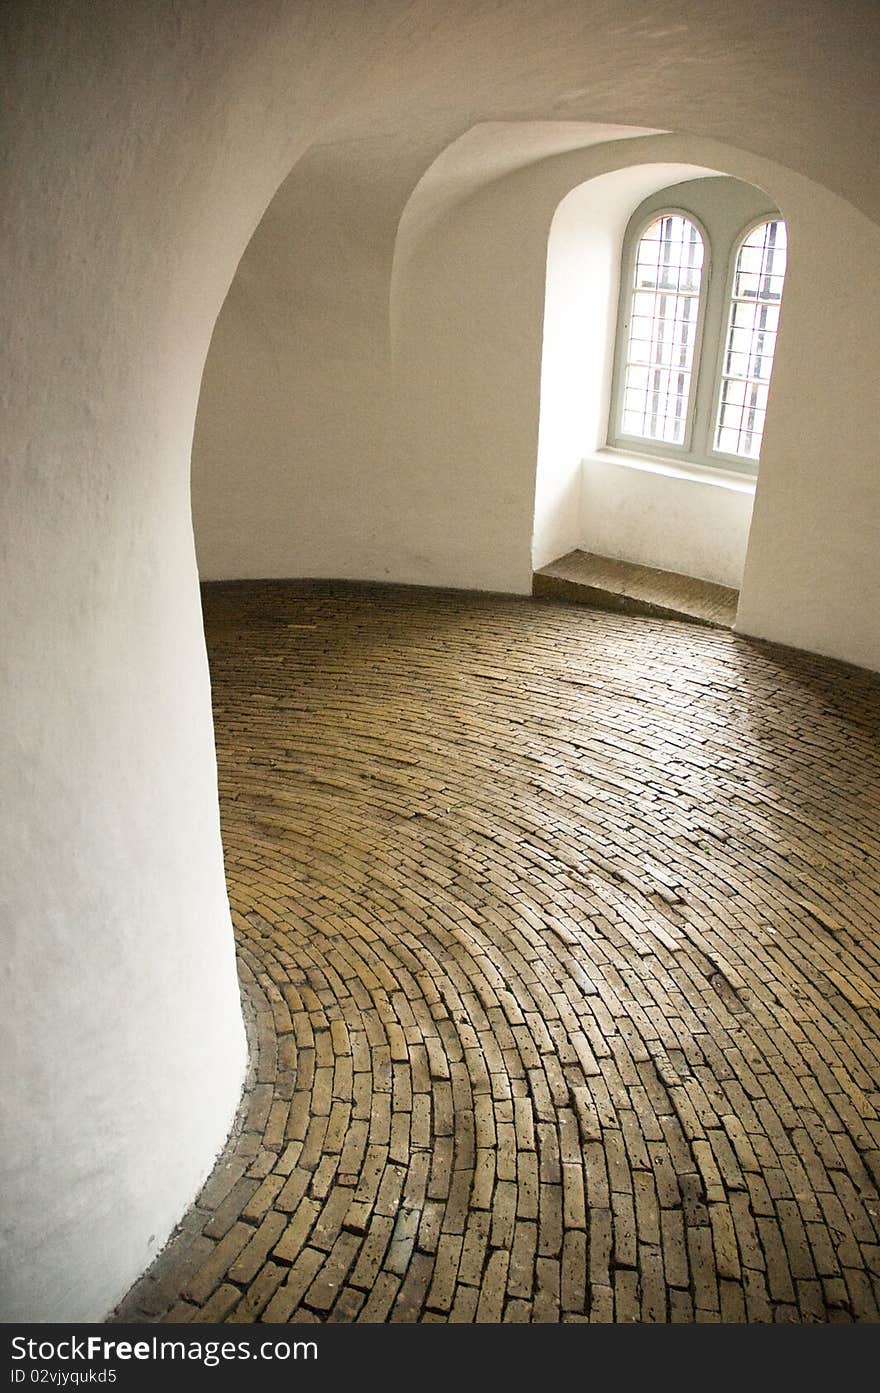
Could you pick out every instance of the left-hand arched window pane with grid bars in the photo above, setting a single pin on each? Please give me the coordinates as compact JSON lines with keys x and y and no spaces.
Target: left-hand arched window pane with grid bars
{"x":663,"y":318}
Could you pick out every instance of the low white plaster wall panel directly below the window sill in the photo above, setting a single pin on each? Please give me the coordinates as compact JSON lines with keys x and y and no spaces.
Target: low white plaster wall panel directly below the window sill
{"x":666,"y":517}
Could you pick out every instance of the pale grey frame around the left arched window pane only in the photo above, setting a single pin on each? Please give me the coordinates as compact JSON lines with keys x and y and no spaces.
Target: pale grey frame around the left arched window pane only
{"x":633,"y":240}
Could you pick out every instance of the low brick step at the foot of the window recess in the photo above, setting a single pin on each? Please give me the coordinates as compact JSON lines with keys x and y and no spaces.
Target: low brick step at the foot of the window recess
{"x":601,"y":582}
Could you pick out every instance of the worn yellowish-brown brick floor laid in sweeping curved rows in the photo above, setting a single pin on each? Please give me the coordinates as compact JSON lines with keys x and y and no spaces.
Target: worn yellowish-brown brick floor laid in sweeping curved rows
{"x":559,"y":934}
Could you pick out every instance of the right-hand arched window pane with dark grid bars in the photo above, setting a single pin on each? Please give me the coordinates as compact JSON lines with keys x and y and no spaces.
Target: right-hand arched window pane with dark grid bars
{"x":751,"y":341}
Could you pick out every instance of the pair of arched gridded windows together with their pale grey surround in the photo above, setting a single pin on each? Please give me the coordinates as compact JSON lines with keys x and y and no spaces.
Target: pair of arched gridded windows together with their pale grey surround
{"x":698,"y":322}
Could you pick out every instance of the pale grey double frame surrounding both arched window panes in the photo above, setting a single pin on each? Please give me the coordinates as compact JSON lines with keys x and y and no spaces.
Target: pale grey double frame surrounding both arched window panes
{"x":711,"y":343}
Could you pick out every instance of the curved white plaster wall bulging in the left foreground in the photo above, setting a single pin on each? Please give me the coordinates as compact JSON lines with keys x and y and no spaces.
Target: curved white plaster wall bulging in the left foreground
{"x":147,"y":144}
